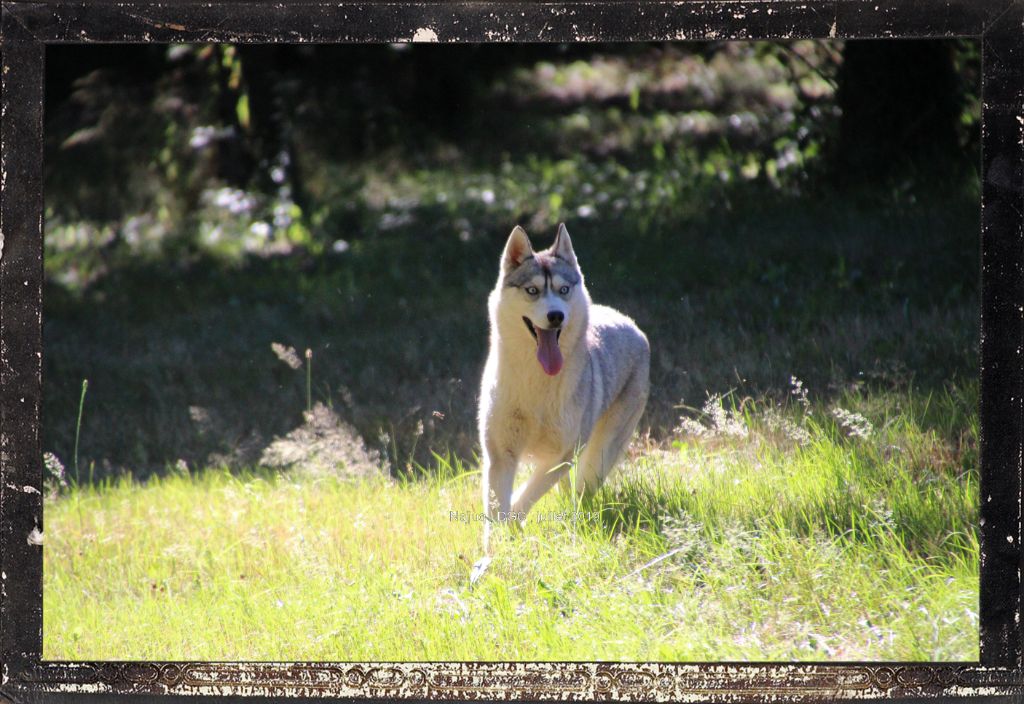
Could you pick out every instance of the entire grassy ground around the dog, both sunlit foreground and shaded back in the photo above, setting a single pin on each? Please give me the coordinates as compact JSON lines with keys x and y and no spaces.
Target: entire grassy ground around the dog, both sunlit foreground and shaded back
{"x":804,"y":485}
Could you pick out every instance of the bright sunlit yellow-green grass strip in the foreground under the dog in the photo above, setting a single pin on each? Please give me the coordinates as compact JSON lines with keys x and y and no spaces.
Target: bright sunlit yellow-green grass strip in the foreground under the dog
{"x":740,"y":543}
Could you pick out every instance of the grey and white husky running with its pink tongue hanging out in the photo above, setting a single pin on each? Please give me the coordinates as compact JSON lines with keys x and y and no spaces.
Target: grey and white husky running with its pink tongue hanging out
{"x":562,"y":375}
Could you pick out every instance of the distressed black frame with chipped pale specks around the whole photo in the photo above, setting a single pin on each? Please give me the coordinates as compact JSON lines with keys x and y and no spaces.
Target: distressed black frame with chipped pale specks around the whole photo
{"x":27,"y":28}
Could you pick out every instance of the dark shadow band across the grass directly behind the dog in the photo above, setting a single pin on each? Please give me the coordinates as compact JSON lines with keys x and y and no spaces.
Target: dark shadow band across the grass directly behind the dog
{"x":741,"y":297}
